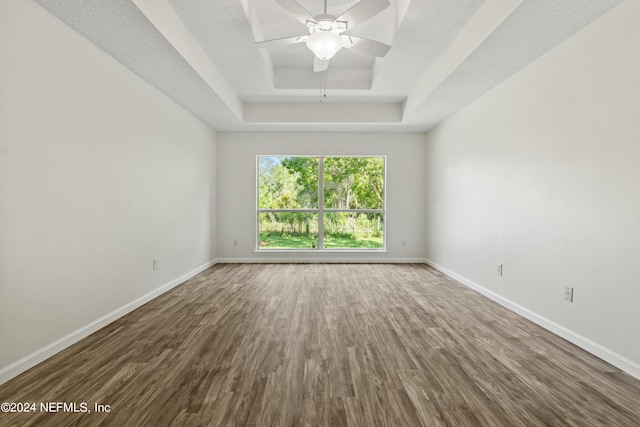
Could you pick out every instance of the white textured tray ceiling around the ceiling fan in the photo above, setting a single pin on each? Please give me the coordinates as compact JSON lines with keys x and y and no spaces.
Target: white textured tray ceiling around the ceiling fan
{"x":445,"y":54}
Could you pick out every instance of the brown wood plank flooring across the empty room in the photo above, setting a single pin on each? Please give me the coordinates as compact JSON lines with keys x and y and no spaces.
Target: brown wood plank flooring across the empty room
{"x":325,"y":345}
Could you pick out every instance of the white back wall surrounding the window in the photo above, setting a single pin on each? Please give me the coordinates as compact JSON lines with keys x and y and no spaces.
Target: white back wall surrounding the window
{"x":237,"y":189}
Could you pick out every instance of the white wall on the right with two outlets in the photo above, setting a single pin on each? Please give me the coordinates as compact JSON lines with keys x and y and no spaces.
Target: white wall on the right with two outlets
{"x":542,"y":174}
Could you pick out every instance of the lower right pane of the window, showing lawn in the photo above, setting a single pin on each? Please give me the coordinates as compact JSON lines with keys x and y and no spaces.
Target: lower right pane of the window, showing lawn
{"x":344,"y":230}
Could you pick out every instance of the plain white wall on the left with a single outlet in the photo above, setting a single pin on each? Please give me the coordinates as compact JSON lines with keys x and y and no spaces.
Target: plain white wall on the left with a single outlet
{"x":99,"y":174}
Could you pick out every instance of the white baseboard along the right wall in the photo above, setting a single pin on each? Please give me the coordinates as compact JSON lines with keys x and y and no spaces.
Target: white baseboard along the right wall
{"x":617,"y":360}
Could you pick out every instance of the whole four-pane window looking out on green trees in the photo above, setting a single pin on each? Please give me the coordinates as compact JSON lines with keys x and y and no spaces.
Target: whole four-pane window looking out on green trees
{"x":321,"y":203}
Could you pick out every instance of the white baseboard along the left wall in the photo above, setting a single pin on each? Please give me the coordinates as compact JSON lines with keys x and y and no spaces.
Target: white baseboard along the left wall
{"x":31,"y":360}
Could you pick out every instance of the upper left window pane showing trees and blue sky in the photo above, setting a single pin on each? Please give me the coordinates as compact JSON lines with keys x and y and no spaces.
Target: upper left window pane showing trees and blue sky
{"x":287,"y":182}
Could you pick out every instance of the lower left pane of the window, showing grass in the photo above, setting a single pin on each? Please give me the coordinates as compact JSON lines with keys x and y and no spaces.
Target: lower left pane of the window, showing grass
{"x":288,"y":230}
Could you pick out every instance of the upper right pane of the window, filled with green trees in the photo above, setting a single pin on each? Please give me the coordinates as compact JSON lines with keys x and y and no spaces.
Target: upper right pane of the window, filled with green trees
{"x":354,"y":183}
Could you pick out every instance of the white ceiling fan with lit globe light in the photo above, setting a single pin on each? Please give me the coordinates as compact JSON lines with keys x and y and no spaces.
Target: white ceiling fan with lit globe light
{"x":328,"y":34}
